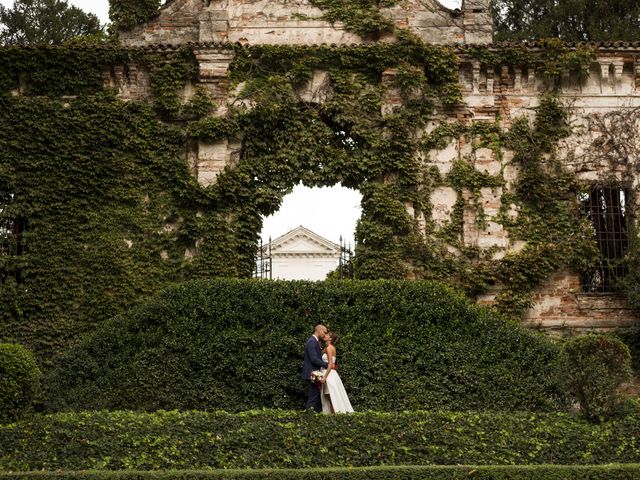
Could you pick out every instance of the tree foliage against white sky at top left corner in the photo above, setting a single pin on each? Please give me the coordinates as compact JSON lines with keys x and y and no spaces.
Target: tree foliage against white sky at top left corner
{"x":44,"y":21}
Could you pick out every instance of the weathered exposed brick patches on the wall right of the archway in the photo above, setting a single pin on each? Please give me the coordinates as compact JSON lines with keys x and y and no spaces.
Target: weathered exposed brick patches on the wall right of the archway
{"x":608,"y":94}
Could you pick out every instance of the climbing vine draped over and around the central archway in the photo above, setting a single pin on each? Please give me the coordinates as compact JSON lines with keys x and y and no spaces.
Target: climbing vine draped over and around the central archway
{"x":345,"y":138}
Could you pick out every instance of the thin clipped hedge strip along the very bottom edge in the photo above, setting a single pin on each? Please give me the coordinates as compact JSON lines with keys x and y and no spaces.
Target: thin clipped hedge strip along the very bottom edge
{"x":538,"y":472}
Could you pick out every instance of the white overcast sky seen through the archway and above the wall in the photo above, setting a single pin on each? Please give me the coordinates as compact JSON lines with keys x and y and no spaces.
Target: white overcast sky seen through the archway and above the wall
{"x":330,"y":212}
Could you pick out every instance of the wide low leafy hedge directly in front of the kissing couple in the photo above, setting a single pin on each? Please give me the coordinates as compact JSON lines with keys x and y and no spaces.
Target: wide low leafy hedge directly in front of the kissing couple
{"x":282,"y":439}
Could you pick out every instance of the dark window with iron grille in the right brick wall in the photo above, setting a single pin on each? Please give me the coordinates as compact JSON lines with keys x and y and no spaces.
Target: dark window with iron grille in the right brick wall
{"x":606,"y":208}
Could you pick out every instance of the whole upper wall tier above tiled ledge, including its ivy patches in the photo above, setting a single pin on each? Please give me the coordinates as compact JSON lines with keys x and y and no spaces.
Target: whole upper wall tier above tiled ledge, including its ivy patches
{"x":178,"y":22}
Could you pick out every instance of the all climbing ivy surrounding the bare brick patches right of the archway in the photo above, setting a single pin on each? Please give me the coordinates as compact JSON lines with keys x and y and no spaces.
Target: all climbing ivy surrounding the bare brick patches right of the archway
{"x":544,"y":198}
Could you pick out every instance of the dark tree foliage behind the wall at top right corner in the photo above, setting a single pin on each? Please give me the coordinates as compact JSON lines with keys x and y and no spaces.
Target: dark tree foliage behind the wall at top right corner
{"x":570,"y":20}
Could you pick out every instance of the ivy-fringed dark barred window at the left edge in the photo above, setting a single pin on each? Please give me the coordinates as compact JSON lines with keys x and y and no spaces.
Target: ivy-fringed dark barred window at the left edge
{"x":11,"y":241}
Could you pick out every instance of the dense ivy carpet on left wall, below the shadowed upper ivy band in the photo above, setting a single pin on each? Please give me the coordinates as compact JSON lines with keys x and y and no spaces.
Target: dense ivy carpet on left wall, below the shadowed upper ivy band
{"x":111,"y":208}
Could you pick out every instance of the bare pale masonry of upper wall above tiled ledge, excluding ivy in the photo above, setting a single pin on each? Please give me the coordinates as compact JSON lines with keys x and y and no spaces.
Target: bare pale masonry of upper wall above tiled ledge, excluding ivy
{"x":280,"y":22}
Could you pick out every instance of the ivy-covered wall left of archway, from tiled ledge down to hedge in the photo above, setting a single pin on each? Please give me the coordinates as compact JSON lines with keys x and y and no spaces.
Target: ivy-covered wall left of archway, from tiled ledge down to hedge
{"x":112,"y":213}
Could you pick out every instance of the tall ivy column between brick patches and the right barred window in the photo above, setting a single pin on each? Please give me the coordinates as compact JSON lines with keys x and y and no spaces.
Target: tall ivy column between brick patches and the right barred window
{"x":546,"y":195}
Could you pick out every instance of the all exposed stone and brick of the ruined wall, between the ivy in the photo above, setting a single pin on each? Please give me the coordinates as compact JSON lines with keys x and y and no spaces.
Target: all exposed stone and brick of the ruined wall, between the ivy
{"x":612,"y":88}
